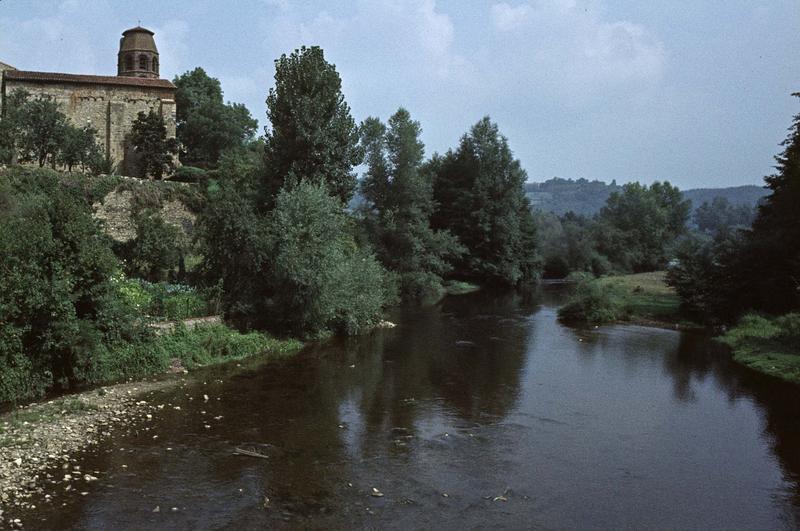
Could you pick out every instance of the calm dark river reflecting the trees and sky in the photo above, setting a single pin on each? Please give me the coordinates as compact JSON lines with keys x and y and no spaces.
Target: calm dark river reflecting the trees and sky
{"x":480,"y":411}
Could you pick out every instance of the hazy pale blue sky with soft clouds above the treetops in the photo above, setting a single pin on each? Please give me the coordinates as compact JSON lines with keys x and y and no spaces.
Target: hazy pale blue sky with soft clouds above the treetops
{"x":696,"y":92}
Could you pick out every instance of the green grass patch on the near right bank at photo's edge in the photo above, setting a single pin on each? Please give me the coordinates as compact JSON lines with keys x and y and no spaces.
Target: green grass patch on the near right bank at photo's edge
{"x":767,"y":345}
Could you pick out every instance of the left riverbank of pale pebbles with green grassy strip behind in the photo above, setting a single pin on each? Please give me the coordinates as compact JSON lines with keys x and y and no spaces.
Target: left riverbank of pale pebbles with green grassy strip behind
{"x":40,"y":437}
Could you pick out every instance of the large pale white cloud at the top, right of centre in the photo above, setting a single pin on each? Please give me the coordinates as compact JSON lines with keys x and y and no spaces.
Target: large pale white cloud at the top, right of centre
{"x":570,"y":49}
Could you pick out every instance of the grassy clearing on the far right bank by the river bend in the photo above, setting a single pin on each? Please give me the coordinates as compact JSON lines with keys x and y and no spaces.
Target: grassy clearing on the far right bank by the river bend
{"x":643,"y":297}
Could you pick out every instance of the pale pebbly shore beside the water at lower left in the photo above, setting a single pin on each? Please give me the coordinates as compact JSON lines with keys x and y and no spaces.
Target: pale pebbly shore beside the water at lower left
{"x":39,"y":443}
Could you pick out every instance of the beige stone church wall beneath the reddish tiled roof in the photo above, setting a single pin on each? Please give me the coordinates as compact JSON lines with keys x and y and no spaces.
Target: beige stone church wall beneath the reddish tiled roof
{"x":111,"y":109}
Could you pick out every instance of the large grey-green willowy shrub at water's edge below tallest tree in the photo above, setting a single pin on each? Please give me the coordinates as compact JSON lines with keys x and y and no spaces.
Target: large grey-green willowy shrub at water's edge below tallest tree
{"x":322,"y":282}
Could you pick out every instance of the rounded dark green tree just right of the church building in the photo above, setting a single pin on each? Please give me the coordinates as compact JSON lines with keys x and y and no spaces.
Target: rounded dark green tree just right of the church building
{"x":206,"y":125}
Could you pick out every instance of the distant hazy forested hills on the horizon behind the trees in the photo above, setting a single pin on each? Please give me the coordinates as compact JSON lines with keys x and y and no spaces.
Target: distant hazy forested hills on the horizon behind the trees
{"x":588,"y":197}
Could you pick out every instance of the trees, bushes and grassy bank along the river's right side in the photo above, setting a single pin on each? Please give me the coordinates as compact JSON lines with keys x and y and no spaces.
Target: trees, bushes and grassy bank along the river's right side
{"x":735,"y":269}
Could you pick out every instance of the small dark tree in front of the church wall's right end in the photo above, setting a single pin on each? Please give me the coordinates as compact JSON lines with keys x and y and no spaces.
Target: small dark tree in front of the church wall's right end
{"x":150,"y":142}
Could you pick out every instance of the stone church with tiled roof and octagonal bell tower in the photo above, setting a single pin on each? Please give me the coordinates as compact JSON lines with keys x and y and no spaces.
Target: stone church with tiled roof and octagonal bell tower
{"x":110,"y":104}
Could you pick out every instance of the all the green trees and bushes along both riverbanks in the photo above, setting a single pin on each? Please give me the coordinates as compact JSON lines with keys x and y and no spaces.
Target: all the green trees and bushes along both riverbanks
{"x":277,"y":250}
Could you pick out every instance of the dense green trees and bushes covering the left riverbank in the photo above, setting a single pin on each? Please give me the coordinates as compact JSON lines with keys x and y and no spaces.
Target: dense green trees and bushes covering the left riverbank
{"x":273,"y":245}
